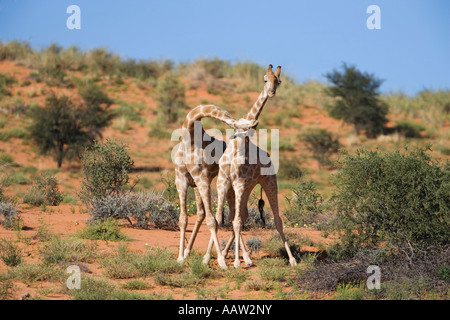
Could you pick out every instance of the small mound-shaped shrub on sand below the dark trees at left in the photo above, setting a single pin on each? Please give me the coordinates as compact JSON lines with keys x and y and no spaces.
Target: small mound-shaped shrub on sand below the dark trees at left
{"x":44,"y":192}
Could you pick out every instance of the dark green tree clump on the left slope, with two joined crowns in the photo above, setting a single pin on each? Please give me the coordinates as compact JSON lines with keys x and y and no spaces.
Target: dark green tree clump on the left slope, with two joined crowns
{"x":62,"y":128}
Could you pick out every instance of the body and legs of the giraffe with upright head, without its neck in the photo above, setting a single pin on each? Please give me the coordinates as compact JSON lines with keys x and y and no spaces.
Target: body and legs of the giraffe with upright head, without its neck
{"x":236,"y":171}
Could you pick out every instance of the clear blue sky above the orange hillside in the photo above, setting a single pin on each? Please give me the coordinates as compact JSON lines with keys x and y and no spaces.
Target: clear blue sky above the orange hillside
{"x":410,"y":52}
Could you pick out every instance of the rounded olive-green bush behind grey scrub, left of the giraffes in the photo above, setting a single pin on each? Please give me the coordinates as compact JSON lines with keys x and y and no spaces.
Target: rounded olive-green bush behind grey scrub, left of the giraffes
{"x":106,"y":166}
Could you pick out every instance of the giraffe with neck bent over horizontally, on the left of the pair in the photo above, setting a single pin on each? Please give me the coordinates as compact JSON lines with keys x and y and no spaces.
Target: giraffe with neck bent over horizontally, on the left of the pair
{"x":196,"y":168}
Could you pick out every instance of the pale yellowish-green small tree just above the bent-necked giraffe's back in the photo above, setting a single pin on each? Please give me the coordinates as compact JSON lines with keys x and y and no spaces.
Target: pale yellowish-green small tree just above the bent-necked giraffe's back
{"x":171,"y":96}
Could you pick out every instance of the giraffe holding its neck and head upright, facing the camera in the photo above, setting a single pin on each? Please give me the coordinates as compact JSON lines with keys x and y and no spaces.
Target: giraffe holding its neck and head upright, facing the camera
{"x":225,"y":178}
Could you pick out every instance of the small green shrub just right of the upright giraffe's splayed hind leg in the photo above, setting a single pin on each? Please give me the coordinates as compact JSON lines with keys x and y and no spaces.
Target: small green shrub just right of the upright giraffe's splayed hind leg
{"x":305,"y":204}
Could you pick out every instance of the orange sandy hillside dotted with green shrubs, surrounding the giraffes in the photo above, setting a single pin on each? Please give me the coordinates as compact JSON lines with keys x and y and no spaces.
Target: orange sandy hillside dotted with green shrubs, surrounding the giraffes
{"x":386,"y":207}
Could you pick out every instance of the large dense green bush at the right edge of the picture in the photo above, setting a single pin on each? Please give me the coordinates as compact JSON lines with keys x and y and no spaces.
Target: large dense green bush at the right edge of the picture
{"x":395,"y":199}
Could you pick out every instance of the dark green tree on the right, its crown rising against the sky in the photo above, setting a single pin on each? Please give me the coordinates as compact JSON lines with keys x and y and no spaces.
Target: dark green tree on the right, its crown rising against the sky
{"x":358,"y":100}
